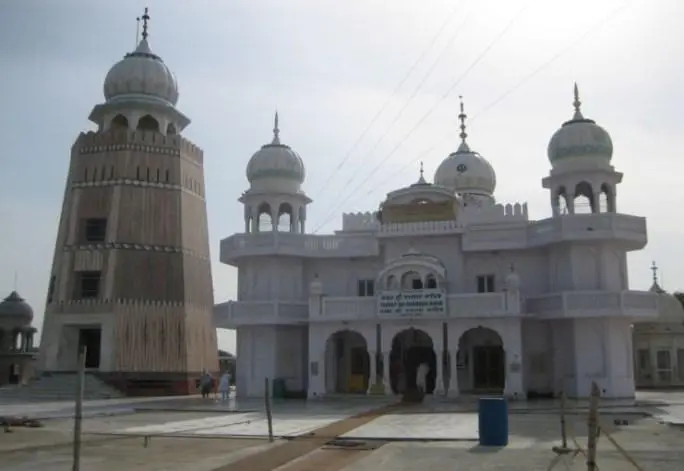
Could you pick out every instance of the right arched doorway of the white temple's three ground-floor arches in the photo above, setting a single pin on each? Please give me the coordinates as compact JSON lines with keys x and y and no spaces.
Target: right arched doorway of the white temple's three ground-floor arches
{"x":481,"y":361}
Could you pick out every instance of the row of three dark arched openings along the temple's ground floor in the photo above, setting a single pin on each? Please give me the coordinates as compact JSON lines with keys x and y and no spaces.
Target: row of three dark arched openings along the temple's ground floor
{"x":480,"y":363}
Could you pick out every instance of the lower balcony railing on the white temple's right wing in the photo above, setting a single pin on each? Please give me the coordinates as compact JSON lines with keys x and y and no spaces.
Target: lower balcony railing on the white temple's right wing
{"x":594,"y":304}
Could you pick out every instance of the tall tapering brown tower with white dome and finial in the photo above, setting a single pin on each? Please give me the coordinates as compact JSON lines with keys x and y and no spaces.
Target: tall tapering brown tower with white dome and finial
{"x":131,"y":276}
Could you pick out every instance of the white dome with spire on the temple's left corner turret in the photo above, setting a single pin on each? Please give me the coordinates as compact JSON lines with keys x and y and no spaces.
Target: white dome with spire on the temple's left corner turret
{"x":276,"y":161}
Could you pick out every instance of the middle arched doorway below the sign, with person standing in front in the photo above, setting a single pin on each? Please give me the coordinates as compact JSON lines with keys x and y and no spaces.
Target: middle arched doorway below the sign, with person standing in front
{"x":410,"y":348}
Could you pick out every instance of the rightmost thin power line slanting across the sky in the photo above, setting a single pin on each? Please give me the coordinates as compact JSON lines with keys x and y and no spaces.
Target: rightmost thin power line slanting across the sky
{"x":610,"y":16}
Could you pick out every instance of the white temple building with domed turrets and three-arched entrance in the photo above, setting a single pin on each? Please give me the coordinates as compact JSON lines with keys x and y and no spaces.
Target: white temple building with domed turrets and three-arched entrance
{"x":441,"y":273}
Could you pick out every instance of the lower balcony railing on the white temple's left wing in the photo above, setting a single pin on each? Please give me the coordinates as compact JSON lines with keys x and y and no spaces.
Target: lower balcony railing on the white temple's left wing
{"x":233,"y":313}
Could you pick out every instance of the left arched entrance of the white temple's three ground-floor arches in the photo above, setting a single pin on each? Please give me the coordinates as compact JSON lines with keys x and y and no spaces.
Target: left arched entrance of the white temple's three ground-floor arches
{"x":347,"y":363}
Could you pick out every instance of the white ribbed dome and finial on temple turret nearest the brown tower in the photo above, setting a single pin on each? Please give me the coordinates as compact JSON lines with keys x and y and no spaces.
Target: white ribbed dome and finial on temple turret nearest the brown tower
{"x":276,"y":166}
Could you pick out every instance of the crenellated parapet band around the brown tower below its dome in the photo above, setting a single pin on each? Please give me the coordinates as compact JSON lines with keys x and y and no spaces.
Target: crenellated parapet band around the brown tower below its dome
{"x":147,"y":141}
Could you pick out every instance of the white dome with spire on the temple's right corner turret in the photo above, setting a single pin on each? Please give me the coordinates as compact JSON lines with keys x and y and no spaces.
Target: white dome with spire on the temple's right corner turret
{"x":580,"y":141}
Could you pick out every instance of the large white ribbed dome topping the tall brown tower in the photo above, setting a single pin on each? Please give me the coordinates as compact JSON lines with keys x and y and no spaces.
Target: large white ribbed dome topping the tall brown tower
{"x":141,"y":74}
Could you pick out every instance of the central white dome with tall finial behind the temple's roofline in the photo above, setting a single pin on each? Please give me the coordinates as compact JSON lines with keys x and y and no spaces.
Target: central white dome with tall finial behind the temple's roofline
{"x":465,"y":171}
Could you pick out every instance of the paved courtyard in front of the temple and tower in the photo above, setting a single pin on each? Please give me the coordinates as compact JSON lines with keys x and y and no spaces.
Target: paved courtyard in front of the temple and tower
{"x":189,"y":433}
